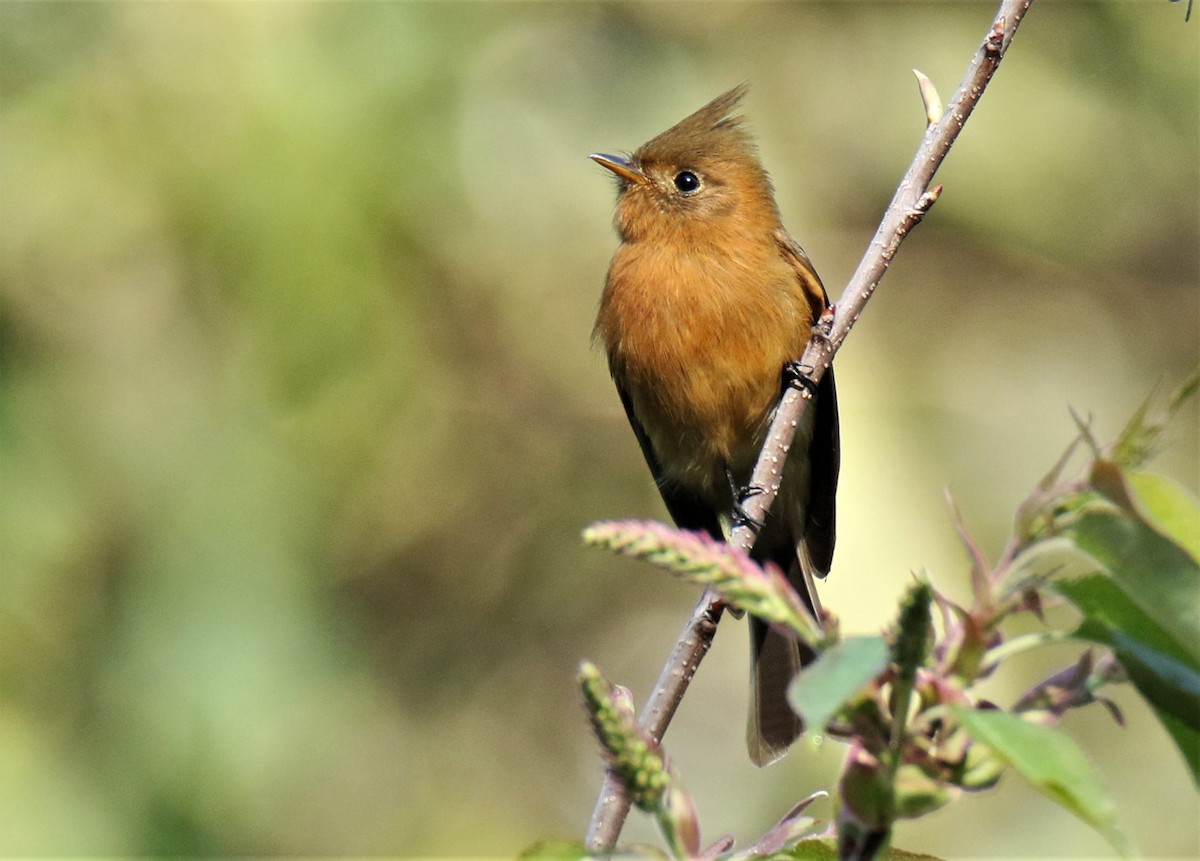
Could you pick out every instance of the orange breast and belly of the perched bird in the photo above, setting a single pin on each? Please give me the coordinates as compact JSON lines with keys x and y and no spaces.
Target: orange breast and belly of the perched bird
{"x":699,"y":341}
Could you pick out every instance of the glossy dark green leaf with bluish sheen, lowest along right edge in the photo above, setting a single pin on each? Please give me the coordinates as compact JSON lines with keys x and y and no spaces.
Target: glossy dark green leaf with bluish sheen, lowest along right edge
{"x":1161,"y":670}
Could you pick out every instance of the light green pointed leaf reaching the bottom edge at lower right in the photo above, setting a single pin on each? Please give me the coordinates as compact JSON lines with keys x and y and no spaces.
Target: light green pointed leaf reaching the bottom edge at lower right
{"x":1052,"y":762}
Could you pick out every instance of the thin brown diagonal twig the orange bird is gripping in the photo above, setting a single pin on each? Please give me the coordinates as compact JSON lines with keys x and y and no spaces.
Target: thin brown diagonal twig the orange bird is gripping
{"x":908,"y":208}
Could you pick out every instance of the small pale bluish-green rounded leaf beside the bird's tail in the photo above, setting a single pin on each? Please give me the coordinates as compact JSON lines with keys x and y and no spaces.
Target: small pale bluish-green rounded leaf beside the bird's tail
{"x":842,"y":672}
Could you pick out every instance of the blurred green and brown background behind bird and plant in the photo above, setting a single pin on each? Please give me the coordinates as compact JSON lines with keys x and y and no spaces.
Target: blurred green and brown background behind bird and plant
{"x":299,"y":418}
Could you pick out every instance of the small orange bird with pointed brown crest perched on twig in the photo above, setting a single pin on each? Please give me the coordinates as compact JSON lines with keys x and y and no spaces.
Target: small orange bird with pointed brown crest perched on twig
{"x":707,"y":303}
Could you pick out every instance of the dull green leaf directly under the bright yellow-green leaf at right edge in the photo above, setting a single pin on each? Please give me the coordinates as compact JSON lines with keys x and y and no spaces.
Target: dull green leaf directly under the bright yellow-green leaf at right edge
{"x":1155,"y":573}
